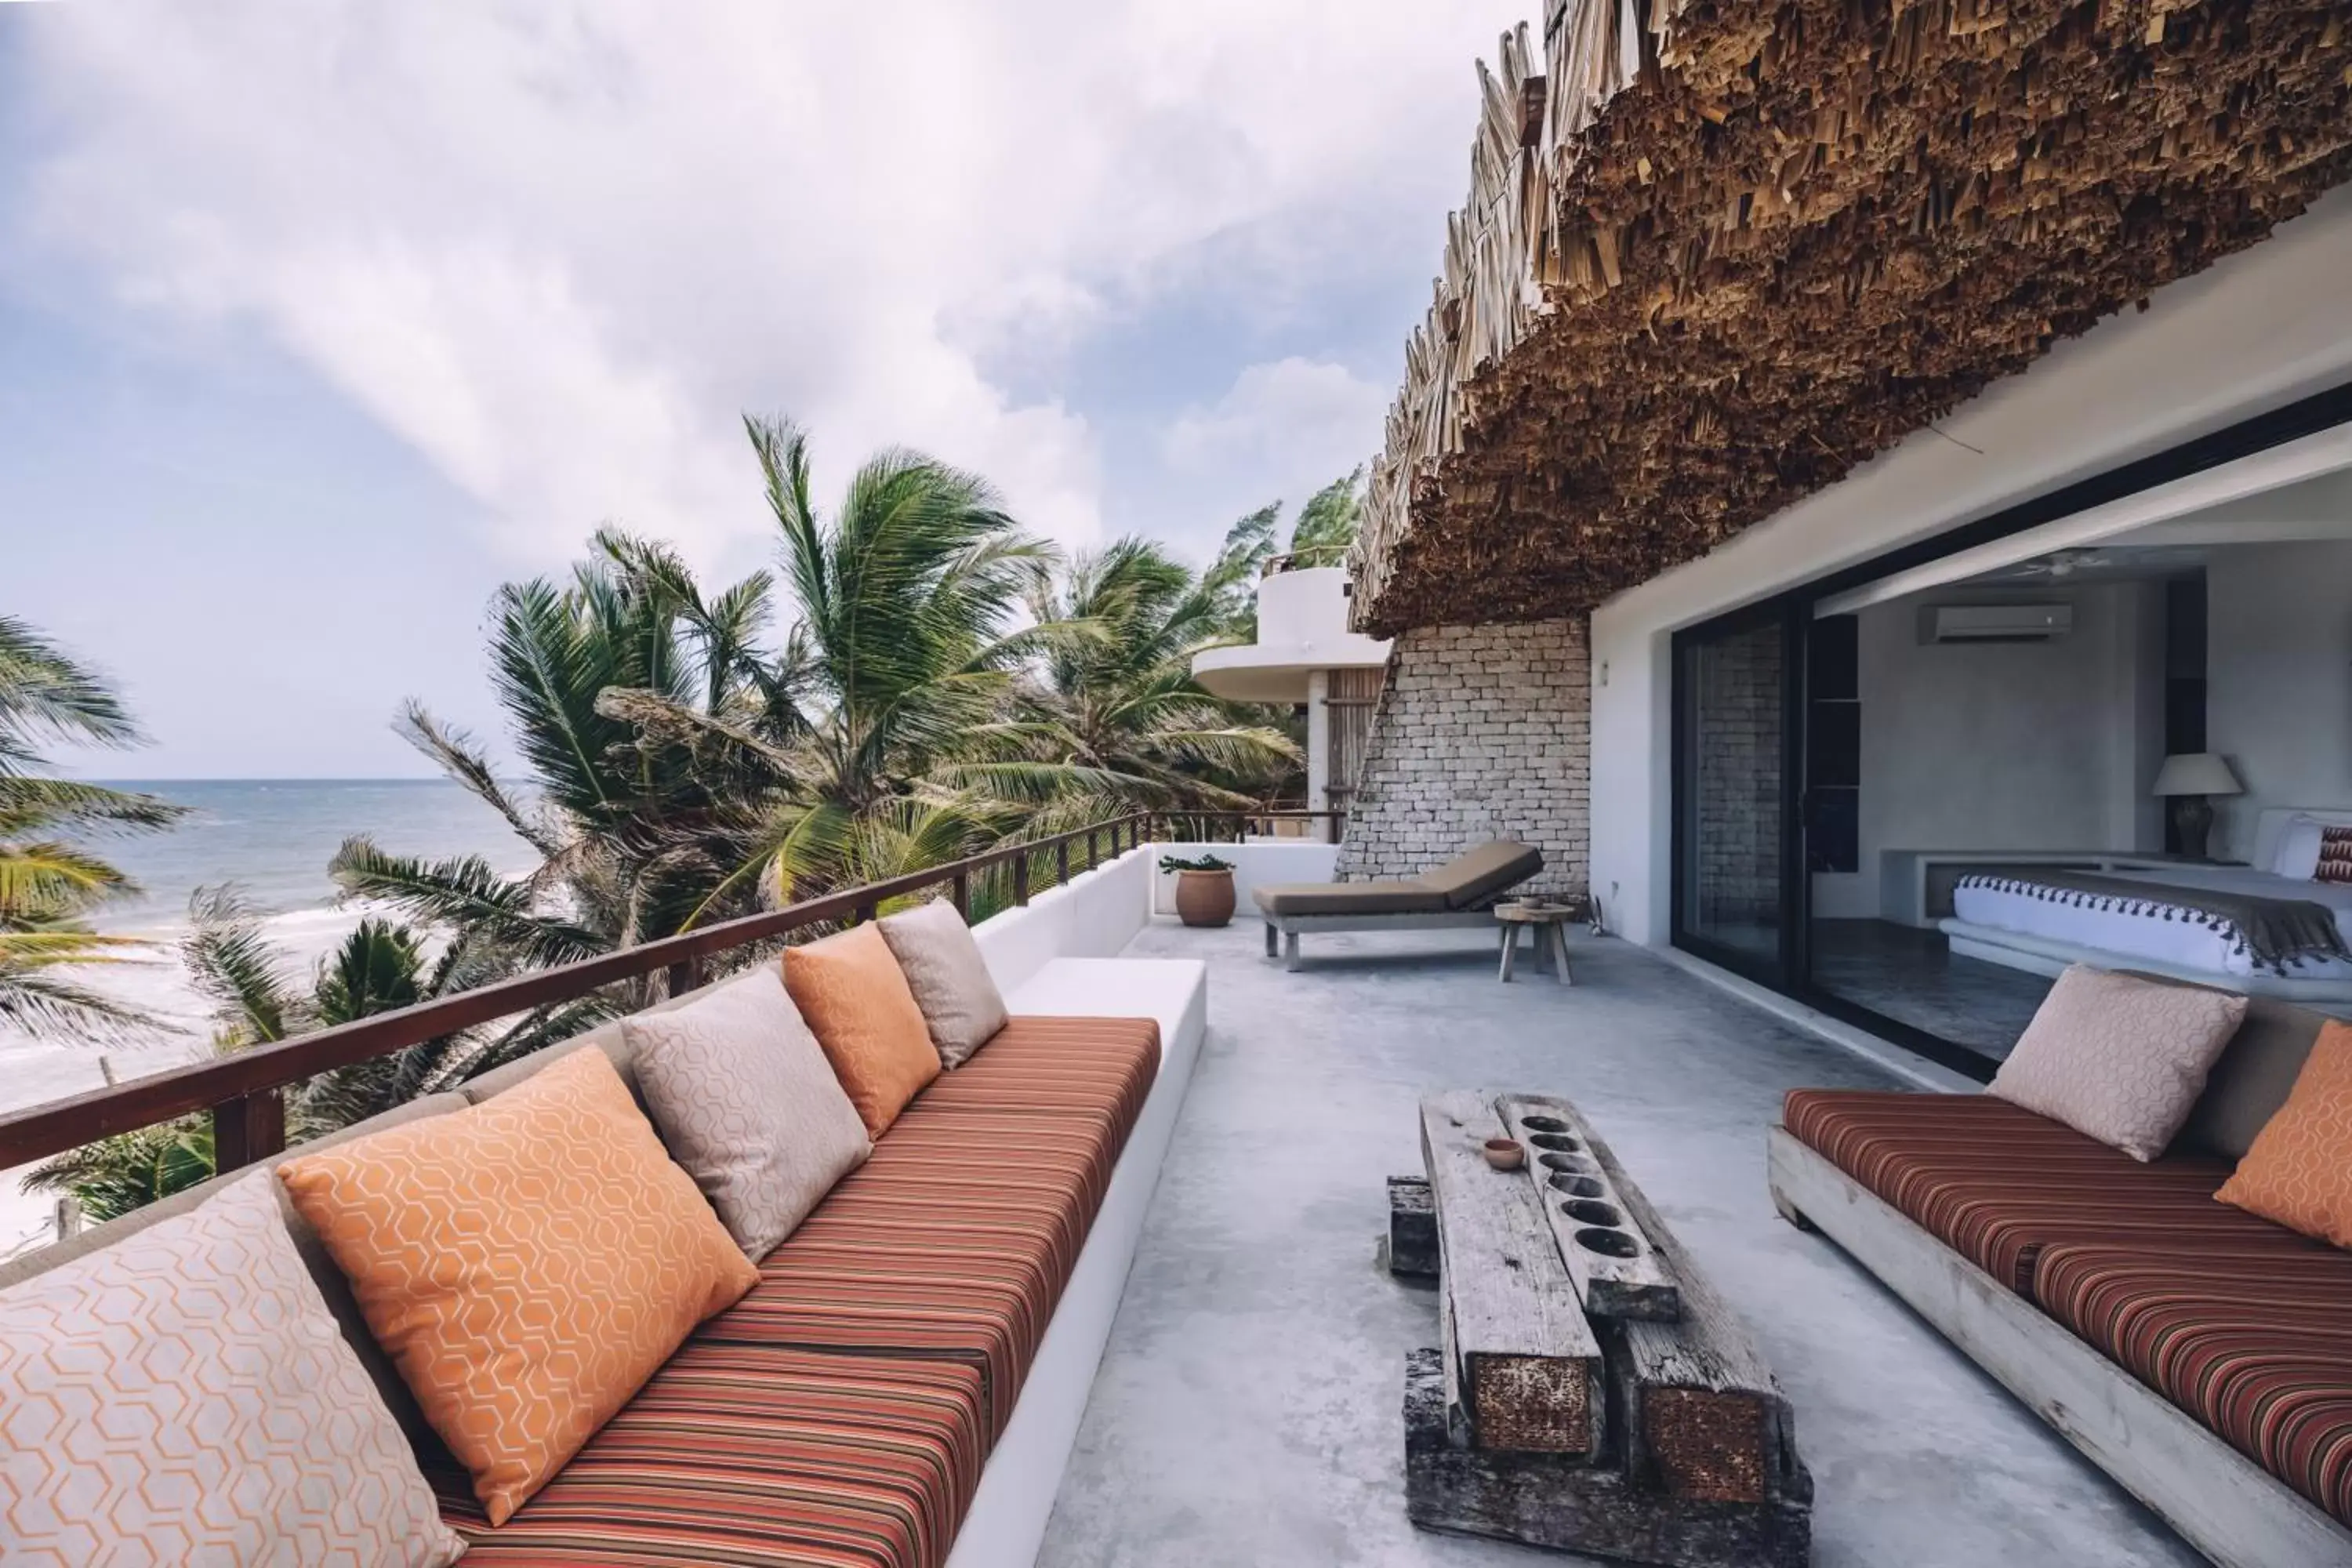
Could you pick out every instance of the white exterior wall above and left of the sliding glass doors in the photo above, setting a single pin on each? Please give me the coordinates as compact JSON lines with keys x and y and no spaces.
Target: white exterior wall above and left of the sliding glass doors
{"x":2250,"y":335}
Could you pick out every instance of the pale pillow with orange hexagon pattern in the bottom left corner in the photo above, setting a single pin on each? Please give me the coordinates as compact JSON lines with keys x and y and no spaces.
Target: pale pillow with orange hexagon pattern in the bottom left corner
{"x":185,"y":1398}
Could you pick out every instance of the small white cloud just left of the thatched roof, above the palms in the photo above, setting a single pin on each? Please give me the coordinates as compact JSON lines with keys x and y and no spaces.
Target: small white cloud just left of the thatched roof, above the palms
{"x":1281,"y":431}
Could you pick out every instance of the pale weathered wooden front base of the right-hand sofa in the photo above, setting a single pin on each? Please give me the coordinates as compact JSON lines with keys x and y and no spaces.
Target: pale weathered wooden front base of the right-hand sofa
{"x":2226,"y":1506}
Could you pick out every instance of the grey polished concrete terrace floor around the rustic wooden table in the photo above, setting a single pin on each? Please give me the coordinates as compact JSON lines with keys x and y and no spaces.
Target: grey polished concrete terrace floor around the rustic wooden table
{"x":1248,"y":1409}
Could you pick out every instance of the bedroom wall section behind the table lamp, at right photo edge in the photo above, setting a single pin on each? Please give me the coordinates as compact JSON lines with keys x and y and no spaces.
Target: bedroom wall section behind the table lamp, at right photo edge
{"x":2280,"y":681}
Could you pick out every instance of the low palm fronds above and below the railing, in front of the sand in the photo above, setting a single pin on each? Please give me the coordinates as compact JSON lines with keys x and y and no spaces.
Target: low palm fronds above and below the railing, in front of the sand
{"x":258,"y":1000}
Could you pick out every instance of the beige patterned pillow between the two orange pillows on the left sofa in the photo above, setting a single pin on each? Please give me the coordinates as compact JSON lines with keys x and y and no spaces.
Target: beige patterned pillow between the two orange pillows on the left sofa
{"x":749,"y":1106}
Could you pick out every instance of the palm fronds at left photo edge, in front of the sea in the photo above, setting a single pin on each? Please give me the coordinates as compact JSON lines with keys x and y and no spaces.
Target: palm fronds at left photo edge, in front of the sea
{"x":48,"y":883}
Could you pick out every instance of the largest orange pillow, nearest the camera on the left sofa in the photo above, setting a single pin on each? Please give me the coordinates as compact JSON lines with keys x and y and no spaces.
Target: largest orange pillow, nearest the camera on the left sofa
{"x":528,"y":1264}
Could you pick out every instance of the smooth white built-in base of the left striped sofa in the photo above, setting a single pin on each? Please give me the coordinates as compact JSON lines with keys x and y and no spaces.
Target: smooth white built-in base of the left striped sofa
{"x":1010,"y":1515}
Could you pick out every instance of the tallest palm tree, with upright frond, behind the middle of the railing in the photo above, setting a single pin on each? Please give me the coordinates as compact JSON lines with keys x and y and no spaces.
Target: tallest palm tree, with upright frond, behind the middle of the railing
{"x":848,"y":746}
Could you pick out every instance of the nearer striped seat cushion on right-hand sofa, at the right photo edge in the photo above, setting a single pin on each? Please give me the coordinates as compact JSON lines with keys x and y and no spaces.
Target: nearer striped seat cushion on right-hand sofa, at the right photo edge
{"x":2252,"y":1336}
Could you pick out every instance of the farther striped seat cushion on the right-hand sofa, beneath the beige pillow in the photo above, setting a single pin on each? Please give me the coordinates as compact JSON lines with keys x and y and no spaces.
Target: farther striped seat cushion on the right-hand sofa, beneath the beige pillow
{"x":2000,"y":1184}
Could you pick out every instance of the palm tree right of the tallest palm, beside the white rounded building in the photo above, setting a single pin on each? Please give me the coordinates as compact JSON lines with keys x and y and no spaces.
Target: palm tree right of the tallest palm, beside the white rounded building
{"x":1116,"y":718}
